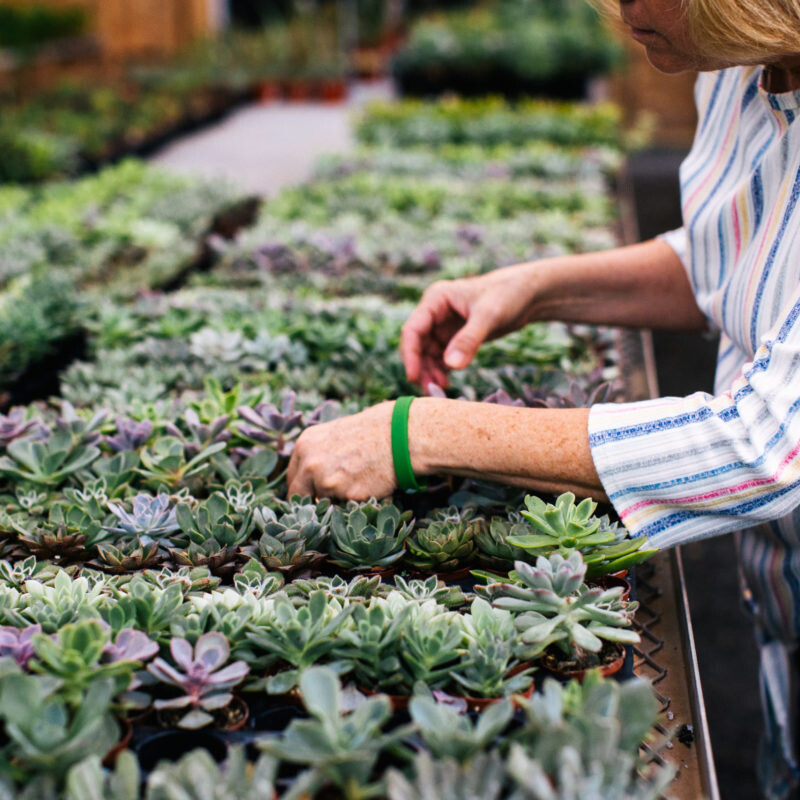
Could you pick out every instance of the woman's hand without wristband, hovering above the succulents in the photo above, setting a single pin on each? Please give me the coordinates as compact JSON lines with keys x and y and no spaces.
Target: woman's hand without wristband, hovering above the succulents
{"x":454,"y":318}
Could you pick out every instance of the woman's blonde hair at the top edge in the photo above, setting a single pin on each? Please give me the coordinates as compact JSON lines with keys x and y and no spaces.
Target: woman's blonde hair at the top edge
{"x":740,"y":31}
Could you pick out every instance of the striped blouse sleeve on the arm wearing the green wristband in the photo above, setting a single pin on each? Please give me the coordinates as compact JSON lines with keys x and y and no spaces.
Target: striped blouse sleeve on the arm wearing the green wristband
{"x":679,"y":469}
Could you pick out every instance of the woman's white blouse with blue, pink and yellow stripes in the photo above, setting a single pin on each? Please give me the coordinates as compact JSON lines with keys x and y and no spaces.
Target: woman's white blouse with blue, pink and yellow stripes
{"x":682,"y":468}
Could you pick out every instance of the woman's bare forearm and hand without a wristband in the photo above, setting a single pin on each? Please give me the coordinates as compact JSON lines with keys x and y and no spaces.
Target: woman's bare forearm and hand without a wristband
{"x":643,"y":285}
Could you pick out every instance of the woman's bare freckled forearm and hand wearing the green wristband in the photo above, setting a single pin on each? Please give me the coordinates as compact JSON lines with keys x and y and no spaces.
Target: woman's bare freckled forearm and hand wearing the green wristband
{"x":540,"y":449}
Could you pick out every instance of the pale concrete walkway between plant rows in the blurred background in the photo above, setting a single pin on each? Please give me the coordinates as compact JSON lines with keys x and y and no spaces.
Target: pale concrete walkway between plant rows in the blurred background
{"x":266,"y":147}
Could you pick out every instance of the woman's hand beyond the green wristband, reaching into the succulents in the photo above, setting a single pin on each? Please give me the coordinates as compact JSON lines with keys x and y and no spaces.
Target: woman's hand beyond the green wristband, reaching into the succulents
{"x":348,"y":458}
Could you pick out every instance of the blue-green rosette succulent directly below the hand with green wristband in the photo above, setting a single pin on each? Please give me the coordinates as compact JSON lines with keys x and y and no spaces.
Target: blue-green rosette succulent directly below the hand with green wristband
{"x":364,"y":536}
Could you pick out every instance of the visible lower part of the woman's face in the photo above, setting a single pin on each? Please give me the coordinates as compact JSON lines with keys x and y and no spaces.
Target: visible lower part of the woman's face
{"x":662,"y":26}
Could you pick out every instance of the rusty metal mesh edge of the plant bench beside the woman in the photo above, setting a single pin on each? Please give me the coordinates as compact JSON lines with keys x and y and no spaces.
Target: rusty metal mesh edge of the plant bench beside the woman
{"x":667,"y":655}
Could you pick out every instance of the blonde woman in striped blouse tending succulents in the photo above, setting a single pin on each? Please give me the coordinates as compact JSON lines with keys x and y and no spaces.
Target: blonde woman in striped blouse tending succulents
{"x":676,"y":469}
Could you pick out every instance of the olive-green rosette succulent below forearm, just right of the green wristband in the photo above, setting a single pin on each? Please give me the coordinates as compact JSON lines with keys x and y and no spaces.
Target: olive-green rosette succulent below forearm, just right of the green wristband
{"x":445,"y":542}
